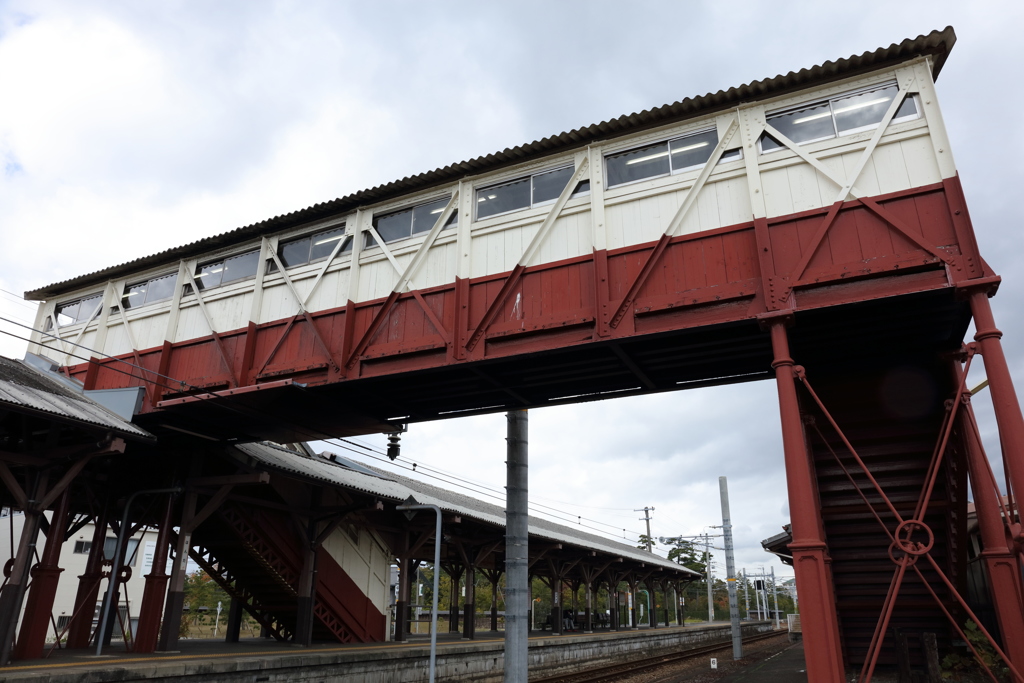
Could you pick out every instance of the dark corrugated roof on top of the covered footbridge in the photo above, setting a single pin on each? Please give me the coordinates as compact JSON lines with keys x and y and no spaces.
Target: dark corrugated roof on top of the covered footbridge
{"x":937,"y":45}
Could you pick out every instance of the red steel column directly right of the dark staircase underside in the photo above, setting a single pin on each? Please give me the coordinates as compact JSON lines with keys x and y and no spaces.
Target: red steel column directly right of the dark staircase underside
{"x":1001,"y":562}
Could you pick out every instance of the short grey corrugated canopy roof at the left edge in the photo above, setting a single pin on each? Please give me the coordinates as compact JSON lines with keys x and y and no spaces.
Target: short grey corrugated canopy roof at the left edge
{"x":26,"y":389}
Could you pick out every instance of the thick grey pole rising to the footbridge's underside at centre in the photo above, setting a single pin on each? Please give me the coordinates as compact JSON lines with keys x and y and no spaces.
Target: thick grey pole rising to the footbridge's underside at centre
{"x":518,"y":594}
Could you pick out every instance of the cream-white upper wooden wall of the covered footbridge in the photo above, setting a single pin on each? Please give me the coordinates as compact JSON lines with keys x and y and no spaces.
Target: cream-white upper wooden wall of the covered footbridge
{"x":910,"y":154}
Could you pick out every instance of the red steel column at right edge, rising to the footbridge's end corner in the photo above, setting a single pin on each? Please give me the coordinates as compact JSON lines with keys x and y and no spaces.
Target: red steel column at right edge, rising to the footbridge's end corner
{"x":1005,"y":404}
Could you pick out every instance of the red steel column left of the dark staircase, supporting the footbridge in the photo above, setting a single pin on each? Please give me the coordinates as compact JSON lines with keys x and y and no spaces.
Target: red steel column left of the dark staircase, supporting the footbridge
{"x":810,"y":554}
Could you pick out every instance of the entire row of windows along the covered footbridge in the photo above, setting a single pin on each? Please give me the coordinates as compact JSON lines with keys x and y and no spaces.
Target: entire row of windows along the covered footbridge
{"x":843,"y":115}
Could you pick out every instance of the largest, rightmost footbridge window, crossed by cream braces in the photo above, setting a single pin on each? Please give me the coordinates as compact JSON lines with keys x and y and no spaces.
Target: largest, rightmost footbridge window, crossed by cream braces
{"x":844,"y":115}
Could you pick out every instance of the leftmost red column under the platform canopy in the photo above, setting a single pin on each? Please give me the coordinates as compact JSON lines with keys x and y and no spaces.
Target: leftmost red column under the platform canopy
{"x":39,"y":606}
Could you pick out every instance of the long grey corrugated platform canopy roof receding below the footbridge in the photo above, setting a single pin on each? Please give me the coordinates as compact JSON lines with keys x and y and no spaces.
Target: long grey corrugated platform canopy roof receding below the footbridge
{"x":397,"y":489}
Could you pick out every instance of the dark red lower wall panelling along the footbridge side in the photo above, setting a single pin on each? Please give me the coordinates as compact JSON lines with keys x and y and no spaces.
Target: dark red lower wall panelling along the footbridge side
{"x":702,"y":279}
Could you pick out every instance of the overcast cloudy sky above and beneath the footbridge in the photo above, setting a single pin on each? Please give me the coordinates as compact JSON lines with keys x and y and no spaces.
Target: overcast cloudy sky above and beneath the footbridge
{"x":127,"y":129}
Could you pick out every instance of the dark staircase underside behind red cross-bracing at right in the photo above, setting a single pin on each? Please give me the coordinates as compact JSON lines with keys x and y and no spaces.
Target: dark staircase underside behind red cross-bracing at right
{"x":893,"y":417}
